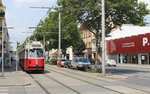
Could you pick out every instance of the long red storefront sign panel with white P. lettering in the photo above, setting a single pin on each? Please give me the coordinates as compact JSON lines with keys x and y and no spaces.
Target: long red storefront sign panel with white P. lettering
{"x":134,"y":44}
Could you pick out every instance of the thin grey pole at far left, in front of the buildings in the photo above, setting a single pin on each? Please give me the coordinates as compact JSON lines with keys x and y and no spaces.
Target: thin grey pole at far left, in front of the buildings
{"x":2,"y":48}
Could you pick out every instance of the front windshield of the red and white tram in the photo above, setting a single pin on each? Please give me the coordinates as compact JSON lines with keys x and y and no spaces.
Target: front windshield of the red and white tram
{"x":36,"y":53}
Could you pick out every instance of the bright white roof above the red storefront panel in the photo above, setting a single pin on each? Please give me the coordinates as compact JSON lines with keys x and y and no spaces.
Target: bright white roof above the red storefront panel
{"x":128,"y":31}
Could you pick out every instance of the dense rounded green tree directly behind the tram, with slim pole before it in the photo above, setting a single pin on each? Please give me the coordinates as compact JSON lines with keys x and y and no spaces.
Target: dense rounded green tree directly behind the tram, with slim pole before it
{"x":70,"y":35}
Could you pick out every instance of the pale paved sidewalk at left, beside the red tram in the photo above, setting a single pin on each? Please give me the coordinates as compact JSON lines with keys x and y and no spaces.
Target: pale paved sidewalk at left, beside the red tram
{"x":13,"y":78}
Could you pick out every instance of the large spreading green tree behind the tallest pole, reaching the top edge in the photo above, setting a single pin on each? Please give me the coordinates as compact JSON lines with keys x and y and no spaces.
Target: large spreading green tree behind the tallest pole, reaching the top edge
{"x":118,"y":12}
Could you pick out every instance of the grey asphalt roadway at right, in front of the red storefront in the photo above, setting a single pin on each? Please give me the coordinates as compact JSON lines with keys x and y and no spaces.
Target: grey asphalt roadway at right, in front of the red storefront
{"x":139,"y":78}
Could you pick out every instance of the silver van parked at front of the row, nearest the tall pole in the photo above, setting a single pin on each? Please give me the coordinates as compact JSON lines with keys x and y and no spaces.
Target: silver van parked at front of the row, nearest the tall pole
{"x":80,"y":63}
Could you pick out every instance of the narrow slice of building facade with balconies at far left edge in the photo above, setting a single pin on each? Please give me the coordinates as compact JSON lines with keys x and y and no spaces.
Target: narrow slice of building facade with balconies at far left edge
{"x":5,"y":35}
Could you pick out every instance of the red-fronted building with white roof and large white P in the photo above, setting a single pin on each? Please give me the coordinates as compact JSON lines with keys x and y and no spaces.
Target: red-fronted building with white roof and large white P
{"x":129,"y":44}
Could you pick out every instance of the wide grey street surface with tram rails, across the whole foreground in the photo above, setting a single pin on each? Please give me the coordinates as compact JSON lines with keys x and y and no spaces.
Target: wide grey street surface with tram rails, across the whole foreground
{"x":57,"y":80}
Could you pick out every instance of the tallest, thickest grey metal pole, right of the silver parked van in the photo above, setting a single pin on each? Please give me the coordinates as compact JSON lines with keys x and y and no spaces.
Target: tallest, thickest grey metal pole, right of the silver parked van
{"x":103,"y":37}
